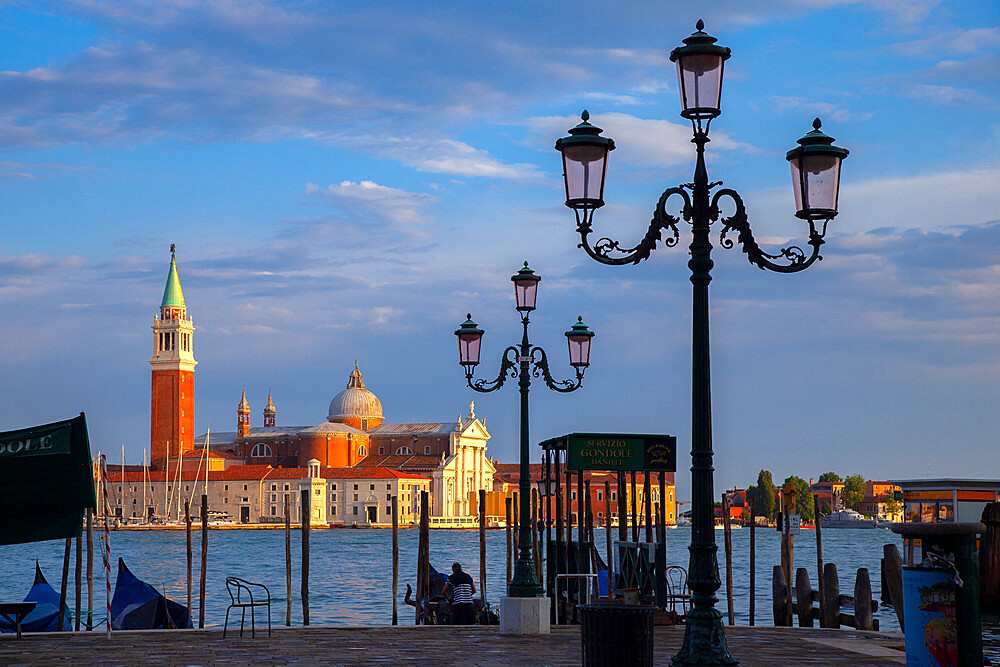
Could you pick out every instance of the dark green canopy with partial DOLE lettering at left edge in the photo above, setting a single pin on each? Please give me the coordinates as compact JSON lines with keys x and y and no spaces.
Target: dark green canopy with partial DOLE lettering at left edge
{"x":46,"y":481}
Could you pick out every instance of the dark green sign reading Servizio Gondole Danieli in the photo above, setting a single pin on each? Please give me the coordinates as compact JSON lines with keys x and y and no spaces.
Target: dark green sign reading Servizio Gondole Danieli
{"x":621,"y":451}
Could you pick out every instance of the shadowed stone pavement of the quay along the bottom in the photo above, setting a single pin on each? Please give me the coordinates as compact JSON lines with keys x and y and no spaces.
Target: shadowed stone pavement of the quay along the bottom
{"x":441,"y":645}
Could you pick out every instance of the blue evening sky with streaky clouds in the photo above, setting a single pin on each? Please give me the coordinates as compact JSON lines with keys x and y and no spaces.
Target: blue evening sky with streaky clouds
{"x":345,"y":181}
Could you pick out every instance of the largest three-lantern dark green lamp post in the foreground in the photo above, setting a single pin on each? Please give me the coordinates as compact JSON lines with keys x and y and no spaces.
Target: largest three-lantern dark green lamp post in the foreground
{"x":815,"y":165}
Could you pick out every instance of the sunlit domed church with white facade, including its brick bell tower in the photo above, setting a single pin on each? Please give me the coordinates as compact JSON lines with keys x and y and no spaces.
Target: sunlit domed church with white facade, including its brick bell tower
{"x":354,"y":433}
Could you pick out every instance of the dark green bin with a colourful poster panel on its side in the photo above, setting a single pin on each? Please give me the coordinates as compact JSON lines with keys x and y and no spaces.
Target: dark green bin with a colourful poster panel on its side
{"x":957,"y":542}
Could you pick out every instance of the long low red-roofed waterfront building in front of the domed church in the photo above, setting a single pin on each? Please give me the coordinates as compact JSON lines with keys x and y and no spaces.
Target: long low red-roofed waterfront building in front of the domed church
{"x":359,"y":496}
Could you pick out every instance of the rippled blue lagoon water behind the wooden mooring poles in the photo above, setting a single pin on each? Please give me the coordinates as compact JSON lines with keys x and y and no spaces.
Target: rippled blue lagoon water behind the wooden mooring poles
{"x":351,"y":570}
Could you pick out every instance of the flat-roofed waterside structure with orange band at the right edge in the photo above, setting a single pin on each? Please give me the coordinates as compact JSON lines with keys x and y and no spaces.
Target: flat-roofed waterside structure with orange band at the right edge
{"x":946,"y":500}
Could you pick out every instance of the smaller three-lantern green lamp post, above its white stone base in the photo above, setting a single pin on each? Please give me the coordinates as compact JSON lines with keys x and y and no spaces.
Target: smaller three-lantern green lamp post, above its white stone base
{"x":524,"y":361}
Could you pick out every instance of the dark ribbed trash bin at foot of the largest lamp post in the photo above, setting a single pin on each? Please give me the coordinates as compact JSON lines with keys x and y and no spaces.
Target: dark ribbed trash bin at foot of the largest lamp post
{"x":616,"y":634}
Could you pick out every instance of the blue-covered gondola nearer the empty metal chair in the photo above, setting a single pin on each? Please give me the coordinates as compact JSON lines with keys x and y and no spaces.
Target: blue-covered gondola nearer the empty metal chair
{"x":138,"y":606}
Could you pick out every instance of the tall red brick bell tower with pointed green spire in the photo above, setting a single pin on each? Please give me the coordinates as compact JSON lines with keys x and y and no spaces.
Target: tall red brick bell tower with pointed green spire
{"x":171,"y":411}
